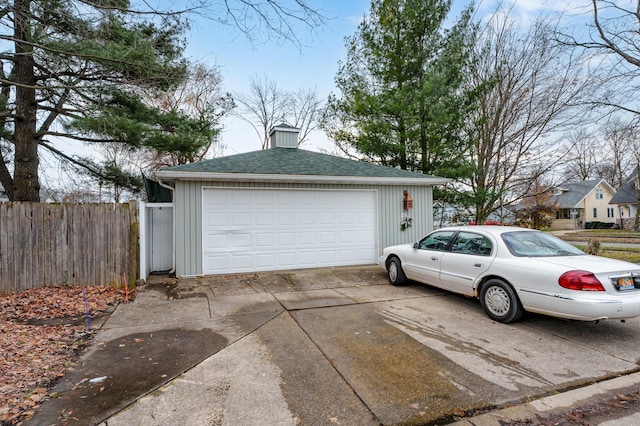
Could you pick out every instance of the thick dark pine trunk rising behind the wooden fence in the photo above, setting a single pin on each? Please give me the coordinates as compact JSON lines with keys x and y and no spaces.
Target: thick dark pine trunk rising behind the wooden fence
{"x":25,"y":178}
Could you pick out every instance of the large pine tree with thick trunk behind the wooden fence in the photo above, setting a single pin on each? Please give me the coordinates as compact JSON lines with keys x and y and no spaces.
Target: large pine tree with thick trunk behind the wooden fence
{"x":75,"y":61}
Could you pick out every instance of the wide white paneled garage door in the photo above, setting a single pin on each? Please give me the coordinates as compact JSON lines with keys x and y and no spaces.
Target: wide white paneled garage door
{"x":263,"y":230}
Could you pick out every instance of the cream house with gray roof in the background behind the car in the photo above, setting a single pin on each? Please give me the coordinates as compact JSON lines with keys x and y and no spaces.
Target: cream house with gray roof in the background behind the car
{"x":583,"y":205}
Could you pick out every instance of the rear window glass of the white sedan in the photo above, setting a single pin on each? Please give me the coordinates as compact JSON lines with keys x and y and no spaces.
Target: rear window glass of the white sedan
{"x":538,"y":244}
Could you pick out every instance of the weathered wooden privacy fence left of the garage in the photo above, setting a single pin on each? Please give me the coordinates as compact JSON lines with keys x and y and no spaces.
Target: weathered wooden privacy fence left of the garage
{"x":67,"y":244}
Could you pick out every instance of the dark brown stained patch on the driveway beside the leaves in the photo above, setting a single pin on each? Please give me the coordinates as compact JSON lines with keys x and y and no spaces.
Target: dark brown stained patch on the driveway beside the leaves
{"x":120,"y":371}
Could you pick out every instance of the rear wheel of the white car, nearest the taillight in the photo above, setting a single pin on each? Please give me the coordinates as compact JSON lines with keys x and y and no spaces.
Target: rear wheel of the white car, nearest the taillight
{"x":500,"y":301}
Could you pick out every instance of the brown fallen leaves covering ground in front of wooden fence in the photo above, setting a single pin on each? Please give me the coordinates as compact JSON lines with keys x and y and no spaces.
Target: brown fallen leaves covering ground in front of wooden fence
{"x":40,"y":349}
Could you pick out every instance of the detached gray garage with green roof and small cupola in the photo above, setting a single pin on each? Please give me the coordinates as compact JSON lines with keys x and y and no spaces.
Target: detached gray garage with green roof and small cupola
{"x":288,"y":208}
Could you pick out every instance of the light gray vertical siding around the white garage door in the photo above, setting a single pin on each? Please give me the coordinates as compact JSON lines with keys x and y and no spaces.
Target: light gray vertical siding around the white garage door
{"x":188,"y":216}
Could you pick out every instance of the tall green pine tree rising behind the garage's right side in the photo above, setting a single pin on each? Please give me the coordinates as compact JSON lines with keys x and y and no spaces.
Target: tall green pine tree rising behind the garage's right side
{"x":402,"y":100}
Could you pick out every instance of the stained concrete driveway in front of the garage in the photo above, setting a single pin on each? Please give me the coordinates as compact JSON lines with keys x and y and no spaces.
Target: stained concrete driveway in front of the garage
{"x":326,"y":346}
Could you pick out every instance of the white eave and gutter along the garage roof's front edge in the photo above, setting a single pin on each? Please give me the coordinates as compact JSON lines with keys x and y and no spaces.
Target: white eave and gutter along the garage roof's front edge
{"x":243,"y":177}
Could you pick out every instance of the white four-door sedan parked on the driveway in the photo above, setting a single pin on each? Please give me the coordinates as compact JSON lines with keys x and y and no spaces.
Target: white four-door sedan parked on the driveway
{"x":513,"y":270}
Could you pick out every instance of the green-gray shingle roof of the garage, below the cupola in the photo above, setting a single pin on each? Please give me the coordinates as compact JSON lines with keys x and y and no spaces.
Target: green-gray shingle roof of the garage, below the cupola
{"x":293,"y":161}
